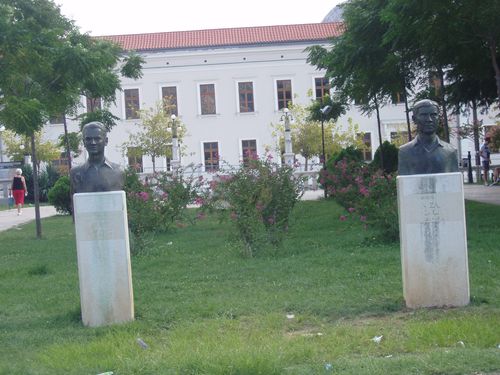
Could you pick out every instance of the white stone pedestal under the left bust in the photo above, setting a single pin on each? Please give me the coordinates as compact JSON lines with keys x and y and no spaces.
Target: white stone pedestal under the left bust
{"x":104,"y":271}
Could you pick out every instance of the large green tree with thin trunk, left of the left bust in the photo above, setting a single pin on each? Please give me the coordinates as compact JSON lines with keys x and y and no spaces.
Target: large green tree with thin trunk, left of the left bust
{"x":46,"y":64}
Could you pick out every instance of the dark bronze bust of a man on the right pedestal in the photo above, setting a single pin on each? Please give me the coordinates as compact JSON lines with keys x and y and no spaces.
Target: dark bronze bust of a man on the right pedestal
{"x":426,"y":154}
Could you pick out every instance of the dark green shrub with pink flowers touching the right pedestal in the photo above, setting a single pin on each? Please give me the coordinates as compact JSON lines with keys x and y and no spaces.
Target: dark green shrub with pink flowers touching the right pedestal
{"x":366,"y":193}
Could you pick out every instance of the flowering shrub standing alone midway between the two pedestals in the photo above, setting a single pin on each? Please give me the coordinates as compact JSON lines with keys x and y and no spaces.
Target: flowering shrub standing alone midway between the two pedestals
{"x":258,"y":198}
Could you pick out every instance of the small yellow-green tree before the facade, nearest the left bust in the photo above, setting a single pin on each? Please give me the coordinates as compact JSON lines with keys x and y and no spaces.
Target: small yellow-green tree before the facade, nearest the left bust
{"x":155,"y":135}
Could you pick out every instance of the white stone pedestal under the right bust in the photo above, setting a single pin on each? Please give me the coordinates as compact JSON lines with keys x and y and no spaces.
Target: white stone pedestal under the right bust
{"x":433,"y":240}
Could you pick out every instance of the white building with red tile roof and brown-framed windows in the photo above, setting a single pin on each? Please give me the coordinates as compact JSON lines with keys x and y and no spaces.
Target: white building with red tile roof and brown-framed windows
{"x":228,"y":86}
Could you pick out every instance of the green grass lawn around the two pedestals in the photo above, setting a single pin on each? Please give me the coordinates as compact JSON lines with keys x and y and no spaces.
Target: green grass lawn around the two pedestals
{"x":201,"y":308}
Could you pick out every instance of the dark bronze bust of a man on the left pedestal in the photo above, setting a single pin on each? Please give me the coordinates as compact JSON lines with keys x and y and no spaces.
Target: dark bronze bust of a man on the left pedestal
{"x":97,"y":174}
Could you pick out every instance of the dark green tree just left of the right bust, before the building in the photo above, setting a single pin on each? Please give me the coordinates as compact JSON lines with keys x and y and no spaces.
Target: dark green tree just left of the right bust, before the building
{"x":361,"y":66}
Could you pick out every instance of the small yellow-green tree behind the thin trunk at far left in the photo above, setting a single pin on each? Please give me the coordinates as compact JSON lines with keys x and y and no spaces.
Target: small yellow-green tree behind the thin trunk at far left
{"x":16,"y":147}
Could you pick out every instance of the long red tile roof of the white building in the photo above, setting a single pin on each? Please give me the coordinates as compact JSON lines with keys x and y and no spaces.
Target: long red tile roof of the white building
{"x":228,"y":37}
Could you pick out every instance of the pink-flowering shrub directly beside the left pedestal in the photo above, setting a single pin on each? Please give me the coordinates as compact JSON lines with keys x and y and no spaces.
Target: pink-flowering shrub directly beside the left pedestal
{"x":158,"y":204}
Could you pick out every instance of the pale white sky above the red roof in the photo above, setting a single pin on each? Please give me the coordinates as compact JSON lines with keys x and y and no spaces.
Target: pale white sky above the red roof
{"x":113,"y":17}
